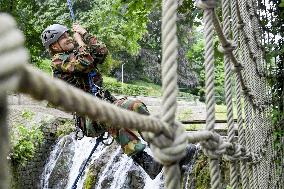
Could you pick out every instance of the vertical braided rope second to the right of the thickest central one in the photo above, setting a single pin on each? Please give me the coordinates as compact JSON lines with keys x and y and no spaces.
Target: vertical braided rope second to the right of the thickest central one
{"x":228,"y":91}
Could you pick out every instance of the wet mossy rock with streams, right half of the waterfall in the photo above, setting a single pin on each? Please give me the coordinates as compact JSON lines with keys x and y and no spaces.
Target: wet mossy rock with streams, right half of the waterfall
{"x":114,"y":170}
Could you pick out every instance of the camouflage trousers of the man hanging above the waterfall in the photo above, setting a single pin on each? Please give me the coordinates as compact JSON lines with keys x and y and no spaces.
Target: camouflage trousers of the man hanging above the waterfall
{"x":128,"y":139}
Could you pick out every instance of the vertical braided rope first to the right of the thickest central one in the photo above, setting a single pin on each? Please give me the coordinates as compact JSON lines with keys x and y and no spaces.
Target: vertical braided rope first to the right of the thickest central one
{"x":208,"y":7}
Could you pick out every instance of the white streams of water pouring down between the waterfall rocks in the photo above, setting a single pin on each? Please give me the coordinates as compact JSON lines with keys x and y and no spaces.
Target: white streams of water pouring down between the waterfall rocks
{"x":115,"y":170}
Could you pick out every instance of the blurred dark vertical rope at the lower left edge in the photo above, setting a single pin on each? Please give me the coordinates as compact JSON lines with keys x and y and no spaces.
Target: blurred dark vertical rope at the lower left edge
{"x":3,"y":142}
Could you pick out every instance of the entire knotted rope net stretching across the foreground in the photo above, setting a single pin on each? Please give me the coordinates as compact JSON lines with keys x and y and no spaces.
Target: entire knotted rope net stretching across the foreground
{"x":253,"y":153}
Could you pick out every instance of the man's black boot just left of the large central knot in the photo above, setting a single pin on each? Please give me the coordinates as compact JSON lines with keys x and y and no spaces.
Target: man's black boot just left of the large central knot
{"x":147,"y":162}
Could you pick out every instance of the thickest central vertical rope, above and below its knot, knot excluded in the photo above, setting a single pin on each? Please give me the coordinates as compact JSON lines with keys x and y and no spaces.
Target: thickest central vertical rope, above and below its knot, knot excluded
{"x":169,"y":78}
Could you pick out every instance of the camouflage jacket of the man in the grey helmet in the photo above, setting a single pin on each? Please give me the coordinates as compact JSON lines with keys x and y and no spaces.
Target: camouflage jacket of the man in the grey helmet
{"x":74,"y":66}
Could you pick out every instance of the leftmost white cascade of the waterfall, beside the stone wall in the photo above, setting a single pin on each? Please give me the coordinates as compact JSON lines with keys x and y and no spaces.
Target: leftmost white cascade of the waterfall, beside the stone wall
{"x":78,"y":152}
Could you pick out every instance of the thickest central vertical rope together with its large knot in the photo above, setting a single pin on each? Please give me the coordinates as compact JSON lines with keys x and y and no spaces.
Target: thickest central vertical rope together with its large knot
{"x":171,"y":153}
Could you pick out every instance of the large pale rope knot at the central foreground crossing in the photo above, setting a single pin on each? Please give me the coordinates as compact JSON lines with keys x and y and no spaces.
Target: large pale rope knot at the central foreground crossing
{"x":168,"y":151}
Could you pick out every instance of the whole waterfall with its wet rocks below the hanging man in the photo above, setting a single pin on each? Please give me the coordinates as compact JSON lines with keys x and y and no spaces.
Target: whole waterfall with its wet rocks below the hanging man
{"x":111,"y":168}
